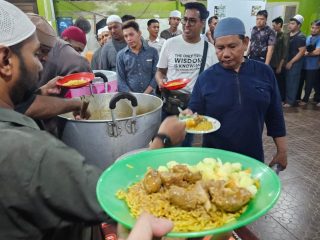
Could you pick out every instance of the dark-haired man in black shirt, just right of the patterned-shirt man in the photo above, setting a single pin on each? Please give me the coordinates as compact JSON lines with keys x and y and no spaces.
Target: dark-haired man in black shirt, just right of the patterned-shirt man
{"x":279,"y":55}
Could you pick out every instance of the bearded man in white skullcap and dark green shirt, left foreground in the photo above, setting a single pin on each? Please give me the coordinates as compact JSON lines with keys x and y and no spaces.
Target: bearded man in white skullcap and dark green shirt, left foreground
{"x":47,"y":189}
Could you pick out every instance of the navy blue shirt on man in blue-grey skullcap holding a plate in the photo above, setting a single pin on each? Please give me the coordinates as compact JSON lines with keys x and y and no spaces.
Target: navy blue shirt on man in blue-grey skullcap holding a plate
{"x":242,"y":102}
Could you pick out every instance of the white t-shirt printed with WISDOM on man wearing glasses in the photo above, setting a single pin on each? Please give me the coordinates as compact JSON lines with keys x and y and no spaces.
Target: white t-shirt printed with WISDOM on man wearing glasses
{"x":183,"y":59}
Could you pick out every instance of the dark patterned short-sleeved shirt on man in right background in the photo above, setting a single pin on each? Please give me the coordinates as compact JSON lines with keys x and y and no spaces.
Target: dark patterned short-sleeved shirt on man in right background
{"x":260,"y":40}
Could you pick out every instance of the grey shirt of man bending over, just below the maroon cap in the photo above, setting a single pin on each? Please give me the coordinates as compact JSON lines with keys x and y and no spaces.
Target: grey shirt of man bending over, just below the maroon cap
{"x":63,"y":60}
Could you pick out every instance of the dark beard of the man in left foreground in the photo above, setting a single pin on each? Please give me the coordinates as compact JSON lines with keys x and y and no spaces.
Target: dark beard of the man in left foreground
{"x":25,"y":86}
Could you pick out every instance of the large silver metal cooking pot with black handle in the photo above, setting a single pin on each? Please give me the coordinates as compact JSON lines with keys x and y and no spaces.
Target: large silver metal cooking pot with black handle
{"x":119,"y":123}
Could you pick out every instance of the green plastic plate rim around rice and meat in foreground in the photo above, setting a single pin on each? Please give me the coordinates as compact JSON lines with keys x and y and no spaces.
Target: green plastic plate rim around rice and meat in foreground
{"x":132,"y":168}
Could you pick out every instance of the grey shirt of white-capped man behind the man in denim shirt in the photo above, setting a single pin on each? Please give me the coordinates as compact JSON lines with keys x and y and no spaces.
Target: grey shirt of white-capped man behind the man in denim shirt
{"x":109,"y":54}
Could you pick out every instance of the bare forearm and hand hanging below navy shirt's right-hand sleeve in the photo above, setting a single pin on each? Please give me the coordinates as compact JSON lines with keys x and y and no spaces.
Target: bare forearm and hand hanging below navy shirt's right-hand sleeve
{"x":281,"y":154}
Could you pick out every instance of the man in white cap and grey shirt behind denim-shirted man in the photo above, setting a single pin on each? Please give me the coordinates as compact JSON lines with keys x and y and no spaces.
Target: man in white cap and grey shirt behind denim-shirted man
{"x":114,"y":45}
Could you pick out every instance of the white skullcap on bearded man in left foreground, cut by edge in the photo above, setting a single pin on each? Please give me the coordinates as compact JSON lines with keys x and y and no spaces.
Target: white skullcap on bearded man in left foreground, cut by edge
{"x":15,"y":26}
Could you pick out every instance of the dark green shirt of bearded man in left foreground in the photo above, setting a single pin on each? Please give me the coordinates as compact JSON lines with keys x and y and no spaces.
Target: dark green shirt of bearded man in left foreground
{"x":47,"y":191}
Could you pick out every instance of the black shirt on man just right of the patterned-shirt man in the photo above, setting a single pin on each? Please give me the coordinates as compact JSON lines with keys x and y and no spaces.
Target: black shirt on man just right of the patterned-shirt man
{"x":280,"y":49}
